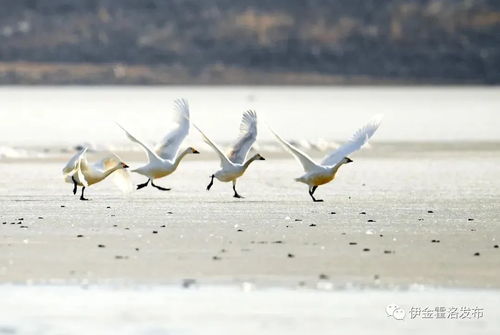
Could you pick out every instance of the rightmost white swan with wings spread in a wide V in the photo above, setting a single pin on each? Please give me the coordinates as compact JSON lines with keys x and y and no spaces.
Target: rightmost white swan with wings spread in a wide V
{"x":319,"y":174}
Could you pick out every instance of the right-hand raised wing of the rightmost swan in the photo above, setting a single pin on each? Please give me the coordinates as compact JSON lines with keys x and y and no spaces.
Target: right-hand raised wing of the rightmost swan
{"x":360,"y":138}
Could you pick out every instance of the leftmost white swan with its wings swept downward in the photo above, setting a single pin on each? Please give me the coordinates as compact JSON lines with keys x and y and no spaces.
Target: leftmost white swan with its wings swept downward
{"x":79,"y":172}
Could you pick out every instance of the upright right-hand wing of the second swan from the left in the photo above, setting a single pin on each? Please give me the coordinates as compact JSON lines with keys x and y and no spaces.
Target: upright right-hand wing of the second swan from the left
{"x":169,"y":146}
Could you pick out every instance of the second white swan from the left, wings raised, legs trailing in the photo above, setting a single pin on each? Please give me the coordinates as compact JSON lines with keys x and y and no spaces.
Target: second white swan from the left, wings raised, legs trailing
{"x":165,"y":158}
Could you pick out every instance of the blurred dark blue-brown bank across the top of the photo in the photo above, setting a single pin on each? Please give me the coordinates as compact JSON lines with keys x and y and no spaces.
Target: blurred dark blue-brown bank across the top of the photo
{"x":281,"y":42}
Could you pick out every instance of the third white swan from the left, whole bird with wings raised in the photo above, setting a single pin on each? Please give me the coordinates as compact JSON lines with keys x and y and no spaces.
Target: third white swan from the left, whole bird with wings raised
{"x":235,"y":164}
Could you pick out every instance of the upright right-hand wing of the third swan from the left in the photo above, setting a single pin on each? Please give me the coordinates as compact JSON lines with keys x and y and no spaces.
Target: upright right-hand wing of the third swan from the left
{"x":248,"y":135}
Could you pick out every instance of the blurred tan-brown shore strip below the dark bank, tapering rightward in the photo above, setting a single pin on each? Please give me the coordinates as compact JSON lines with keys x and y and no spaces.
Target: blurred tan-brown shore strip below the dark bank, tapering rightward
{"x":117,"y":74}
